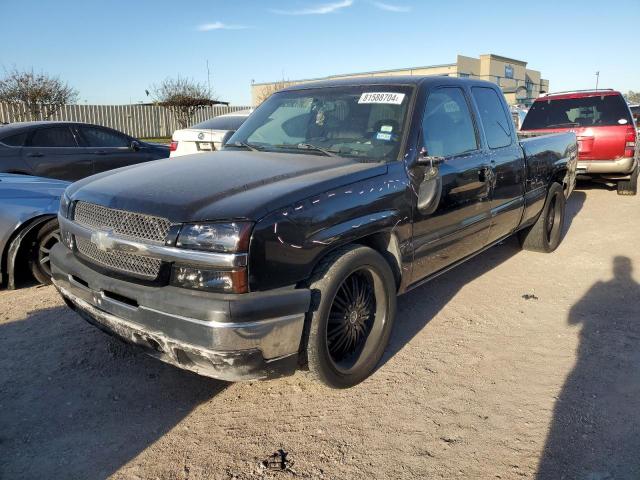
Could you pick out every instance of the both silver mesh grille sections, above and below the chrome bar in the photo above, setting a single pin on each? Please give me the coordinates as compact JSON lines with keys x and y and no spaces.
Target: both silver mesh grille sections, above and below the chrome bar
{"x":130,"y":225}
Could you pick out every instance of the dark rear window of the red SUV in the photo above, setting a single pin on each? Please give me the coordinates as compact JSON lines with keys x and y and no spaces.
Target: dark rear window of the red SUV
{"x":577,"y":112}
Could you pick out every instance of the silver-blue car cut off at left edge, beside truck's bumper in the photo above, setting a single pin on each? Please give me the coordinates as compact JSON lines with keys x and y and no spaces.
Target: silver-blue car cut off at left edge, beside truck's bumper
{"x":28,"y":225}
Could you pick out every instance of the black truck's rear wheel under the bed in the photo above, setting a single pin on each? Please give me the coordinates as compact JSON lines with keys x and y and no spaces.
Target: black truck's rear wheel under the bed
{"x":546,"y":234}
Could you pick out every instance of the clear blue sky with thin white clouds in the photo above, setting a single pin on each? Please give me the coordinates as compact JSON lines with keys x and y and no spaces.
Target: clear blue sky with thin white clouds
{"x":112,"y":51}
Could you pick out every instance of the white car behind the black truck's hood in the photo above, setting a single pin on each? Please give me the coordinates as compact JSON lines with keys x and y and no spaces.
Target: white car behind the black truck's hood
{"x":207,"y":136}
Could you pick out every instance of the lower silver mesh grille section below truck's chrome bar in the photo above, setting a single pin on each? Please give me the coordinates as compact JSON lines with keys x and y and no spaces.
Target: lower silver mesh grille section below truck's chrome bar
{"x":145,"y":267}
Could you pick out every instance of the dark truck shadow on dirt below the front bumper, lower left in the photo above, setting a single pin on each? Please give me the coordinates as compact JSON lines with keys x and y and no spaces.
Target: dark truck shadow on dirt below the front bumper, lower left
{"x":64,"y":384}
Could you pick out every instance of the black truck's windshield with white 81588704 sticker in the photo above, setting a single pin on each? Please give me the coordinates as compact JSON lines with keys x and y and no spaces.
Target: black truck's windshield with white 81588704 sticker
{"x":365,"y":122}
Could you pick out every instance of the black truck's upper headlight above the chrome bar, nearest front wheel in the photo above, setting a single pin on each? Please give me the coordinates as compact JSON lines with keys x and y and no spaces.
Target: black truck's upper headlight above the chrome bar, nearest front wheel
{"x":216,"y":237}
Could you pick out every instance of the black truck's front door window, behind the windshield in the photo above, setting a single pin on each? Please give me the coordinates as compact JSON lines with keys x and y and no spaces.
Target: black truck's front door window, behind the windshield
{"x":447,"y":126}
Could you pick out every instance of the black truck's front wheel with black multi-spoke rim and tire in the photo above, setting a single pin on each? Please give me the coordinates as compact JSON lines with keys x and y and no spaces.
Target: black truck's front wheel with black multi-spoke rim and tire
{"x":354,"y":293}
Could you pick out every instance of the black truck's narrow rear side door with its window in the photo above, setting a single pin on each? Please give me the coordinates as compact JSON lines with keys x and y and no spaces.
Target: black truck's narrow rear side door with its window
{"x":507,"y":162}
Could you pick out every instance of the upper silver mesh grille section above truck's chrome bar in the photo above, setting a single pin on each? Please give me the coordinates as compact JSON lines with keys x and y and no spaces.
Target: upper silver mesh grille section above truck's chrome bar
{"x":126,"y":224}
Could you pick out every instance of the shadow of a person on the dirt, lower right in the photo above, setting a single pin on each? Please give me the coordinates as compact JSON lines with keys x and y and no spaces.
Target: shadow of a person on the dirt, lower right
{"x":595,"y":432}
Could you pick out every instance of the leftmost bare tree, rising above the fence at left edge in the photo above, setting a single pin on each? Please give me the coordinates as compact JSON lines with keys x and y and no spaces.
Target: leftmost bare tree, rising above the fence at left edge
{"x":40,"y":94}
